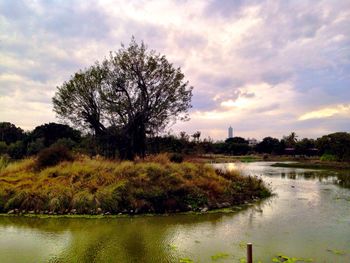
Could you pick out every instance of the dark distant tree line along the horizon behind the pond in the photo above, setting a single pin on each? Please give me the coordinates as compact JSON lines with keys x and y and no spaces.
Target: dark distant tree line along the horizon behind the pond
{"x":18,"y":144}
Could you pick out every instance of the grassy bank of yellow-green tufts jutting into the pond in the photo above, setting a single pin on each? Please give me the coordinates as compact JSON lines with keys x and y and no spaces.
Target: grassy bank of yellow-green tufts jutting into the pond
{"x":88,"y":186}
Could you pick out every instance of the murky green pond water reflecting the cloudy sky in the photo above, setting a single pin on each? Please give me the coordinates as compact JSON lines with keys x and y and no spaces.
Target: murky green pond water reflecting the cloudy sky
{"x":308,"y":218}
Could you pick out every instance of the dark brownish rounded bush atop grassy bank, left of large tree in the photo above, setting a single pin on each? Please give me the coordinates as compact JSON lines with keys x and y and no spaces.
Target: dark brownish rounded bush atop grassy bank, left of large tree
{"x":52,"y":156}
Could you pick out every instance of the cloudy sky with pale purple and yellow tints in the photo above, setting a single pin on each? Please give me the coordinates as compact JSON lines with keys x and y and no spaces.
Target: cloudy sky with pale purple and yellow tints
{"x":266,"y":68}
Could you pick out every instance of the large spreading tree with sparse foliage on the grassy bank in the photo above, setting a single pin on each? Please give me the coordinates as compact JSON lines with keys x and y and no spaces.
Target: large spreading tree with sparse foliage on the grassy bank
{"x":135,"y":92}
